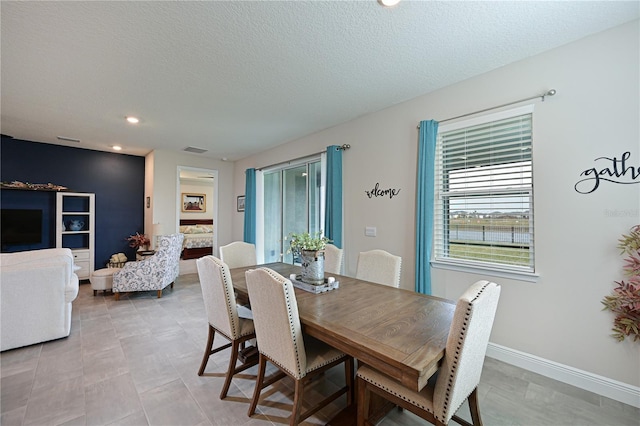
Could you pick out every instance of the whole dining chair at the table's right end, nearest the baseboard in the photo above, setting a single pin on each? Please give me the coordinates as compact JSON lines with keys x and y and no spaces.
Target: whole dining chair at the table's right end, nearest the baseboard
{"x":459,"y":374}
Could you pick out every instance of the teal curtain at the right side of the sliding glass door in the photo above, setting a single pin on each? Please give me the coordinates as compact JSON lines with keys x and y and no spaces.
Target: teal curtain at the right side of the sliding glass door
{"x":333,"y":199}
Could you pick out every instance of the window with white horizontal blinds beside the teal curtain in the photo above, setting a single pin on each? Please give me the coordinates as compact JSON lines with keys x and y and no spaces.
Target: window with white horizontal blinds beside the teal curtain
{"x":484,"y":192}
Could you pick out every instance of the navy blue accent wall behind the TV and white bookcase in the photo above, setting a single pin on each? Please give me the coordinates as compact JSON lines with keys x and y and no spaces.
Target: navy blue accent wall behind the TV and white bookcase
{"x":116,"y":179}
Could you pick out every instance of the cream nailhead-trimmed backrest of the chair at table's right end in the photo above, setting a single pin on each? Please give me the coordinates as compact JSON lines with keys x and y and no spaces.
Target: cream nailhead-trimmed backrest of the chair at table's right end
{"x":466,"y":347}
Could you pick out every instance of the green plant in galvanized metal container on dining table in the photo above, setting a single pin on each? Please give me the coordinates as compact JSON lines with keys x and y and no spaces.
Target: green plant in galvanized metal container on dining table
{"x":310,"y":249}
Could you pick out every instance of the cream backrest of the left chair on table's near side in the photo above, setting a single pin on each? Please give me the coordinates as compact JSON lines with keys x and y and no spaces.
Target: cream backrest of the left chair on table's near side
{"x":218,"y":295}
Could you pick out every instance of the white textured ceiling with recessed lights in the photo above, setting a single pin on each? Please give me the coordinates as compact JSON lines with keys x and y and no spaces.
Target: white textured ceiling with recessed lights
{"x":239,"y":77}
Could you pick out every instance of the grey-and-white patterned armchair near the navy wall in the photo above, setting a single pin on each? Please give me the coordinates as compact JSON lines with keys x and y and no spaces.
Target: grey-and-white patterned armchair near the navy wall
{"x":153,"y":273}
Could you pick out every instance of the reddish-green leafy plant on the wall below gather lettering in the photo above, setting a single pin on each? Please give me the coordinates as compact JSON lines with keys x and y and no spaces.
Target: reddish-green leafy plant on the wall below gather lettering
{"x":624,"y":301}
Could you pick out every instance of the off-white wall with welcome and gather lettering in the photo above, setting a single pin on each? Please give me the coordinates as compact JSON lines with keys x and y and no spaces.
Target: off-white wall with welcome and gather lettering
{"x":595,"y":113}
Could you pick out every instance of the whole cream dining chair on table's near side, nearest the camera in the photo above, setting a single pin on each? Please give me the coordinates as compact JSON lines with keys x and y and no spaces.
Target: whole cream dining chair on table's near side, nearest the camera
{"x":282,"y":343}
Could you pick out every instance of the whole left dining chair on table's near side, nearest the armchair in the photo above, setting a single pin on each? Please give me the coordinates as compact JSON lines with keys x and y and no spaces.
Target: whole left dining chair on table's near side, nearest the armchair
{"x":222,"y":314}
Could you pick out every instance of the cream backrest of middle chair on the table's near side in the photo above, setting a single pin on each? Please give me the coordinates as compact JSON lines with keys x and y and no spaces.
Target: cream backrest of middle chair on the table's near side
{"x":275,"y":317}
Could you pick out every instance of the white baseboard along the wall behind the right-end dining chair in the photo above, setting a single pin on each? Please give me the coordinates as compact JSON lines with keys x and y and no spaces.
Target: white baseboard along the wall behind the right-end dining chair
{"x":600,"y":385}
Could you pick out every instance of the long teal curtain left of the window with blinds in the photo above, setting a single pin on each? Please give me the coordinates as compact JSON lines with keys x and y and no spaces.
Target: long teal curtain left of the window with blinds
{"x":424,"y":204}
